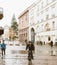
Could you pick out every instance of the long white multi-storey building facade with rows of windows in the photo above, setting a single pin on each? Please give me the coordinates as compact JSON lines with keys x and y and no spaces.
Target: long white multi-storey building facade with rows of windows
{"x":43,"y":21}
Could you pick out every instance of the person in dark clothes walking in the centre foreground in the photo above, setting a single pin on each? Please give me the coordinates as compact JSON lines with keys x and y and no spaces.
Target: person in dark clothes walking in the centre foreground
{"x":31,"y":48}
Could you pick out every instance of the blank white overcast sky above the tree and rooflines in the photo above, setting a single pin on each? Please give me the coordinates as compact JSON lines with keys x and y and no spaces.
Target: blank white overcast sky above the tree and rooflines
{"x":11,"y":7}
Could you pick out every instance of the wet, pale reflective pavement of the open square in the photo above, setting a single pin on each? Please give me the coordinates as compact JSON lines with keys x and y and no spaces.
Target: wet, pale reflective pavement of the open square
{"x":17,"y":55}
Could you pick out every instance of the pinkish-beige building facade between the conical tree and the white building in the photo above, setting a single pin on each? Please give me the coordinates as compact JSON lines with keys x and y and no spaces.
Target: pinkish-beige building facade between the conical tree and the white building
{"x":23,"y":26}
